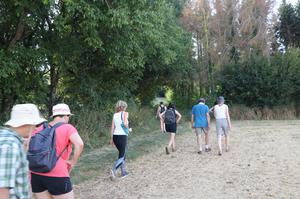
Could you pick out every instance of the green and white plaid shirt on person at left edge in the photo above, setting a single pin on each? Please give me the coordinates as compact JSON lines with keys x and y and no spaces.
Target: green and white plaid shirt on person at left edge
{"x":13,"y":165}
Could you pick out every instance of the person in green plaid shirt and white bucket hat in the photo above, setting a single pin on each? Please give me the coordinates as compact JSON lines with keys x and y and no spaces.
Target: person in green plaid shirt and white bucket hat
{"x":14,"y":182}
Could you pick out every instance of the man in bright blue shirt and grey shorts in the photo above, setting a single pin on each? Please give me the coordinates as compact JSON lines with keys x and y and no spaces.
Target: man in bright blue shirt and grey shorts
{"x":200,"y":121}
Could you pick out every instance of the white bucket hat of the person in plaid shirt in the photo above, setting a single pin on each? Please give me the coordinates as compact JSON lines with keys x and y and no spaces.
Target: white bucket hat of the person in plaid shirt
{"x":23,"y":114}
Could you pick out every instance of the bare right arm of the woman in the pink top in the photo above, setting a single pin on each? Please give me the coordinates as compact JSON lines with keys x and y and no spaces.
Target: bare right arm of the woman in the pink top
{"x":78,"y":148}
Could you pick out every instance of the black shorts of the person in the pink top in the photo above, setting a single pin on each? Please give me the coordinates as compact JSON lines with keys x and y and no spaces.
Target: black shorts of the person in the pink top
{"x":54,"y":185}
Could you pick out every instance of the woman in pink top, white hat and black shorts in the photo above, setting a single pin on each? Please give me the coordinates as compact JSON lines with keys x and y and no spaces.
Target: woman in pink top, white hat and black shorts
{"x":56,"y":183}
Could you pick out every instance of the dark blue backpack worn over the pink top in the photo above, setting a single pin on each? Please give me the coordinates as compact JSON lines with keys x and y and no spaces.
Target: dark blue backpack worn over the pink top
{"x":42,"y":149}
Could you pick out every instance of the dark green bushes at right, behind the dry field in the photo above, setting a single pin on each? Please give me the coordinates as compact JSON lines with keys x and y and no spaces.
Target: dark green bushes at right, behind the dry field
{"x":259,"y":82}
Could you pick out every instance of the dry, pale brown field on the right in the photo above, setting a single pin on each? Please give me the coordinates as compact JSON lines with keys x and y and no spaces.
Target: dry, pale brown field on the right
{"x":264,"y":162}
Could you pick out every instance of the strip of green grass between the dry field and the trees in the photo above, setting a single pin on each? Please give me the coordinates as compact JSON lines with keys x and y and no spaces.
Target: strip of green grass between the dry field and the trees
{"x":143,"y":140}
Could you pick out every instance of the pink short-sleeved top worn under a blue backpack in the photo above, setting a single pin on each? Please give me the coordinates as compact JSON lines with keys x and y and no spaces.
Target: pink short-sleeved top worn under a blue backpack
{"x":63,"y":134}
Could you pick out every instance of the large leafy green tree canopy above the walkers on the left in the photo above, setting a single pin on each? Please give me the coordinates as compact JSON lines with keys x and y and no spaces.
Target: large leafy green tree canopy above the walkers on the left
{"x":89,"y":53}
